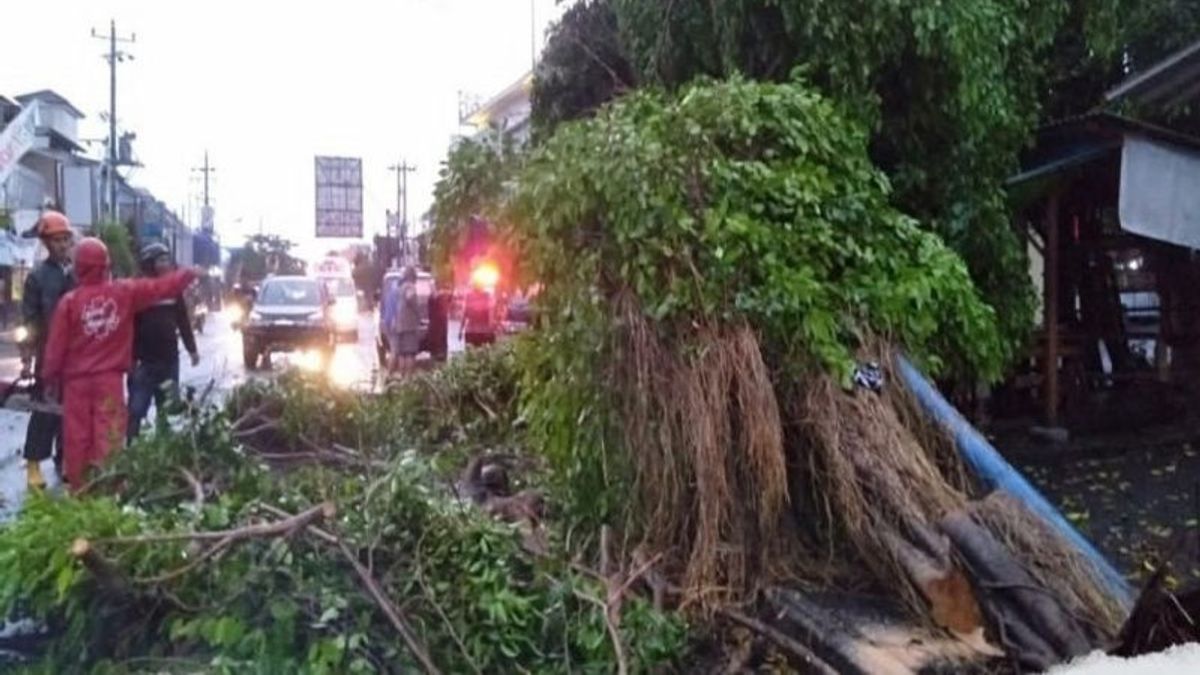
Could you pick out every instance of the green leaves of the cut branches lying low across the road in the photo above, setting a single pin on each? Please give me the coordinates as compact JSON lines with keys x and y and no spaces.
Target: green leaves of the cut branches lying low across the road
{"x":473,"y":595}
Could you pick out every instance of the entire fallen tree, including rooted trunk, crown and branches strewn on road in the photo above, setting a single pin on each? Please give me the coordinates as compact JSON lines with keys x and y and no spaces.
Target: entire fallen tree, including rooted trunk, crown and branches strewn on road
{"x":710,"y":409}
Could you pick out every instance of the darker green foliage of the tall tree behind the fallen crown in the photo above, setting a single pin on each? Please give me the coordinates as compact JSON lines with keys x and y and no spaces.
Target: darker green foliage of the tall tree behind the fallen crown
{"x":949,"y":93}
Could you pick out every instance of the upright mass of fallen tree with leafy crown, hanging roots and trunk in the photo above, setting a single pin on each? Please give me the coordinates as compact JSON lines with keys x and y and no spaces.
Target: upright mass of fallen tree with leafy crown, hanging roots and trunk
{"x":727,"y":277}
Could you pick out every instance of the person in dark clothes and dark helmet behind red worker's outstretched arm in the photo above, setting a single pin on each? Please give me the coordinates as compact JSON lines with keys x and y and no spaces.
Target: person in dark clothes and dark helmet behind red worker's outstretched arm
{"x":157,"y":334}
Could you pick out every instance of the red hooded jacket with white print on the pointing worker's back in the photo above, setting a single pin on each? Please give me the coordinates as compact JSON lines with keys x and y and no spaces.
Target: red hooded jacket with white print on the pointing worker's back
{"x":93,"y":326}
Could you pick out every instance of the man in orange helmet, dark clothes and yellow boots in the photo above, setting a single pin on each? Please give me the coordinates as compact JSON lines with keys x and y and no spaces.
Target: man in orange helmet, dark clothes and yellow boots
{"x":44,"y":289}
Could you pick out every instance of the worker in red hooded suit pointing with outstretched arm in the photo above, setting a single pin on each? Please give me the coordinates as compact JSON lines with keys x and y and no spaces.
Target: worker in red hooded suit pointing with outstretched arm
{"x":91,"y":349}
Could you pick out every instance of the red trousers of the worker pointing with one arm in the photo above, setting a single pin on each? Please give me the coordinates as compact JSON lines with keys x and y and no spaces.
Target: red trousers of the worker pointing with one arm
{"x":94,"y":419}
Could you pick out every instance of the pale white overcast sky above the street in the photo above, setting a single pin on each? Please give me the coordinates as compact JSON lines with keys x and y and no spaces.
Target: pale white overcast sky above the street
{"x":266,"y":86}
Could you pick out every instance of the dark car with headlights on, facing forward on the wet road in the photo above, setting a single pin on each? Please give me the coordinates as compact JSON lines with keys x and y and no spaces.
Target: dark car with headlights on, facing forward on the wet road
{"x":290,"y":314}
